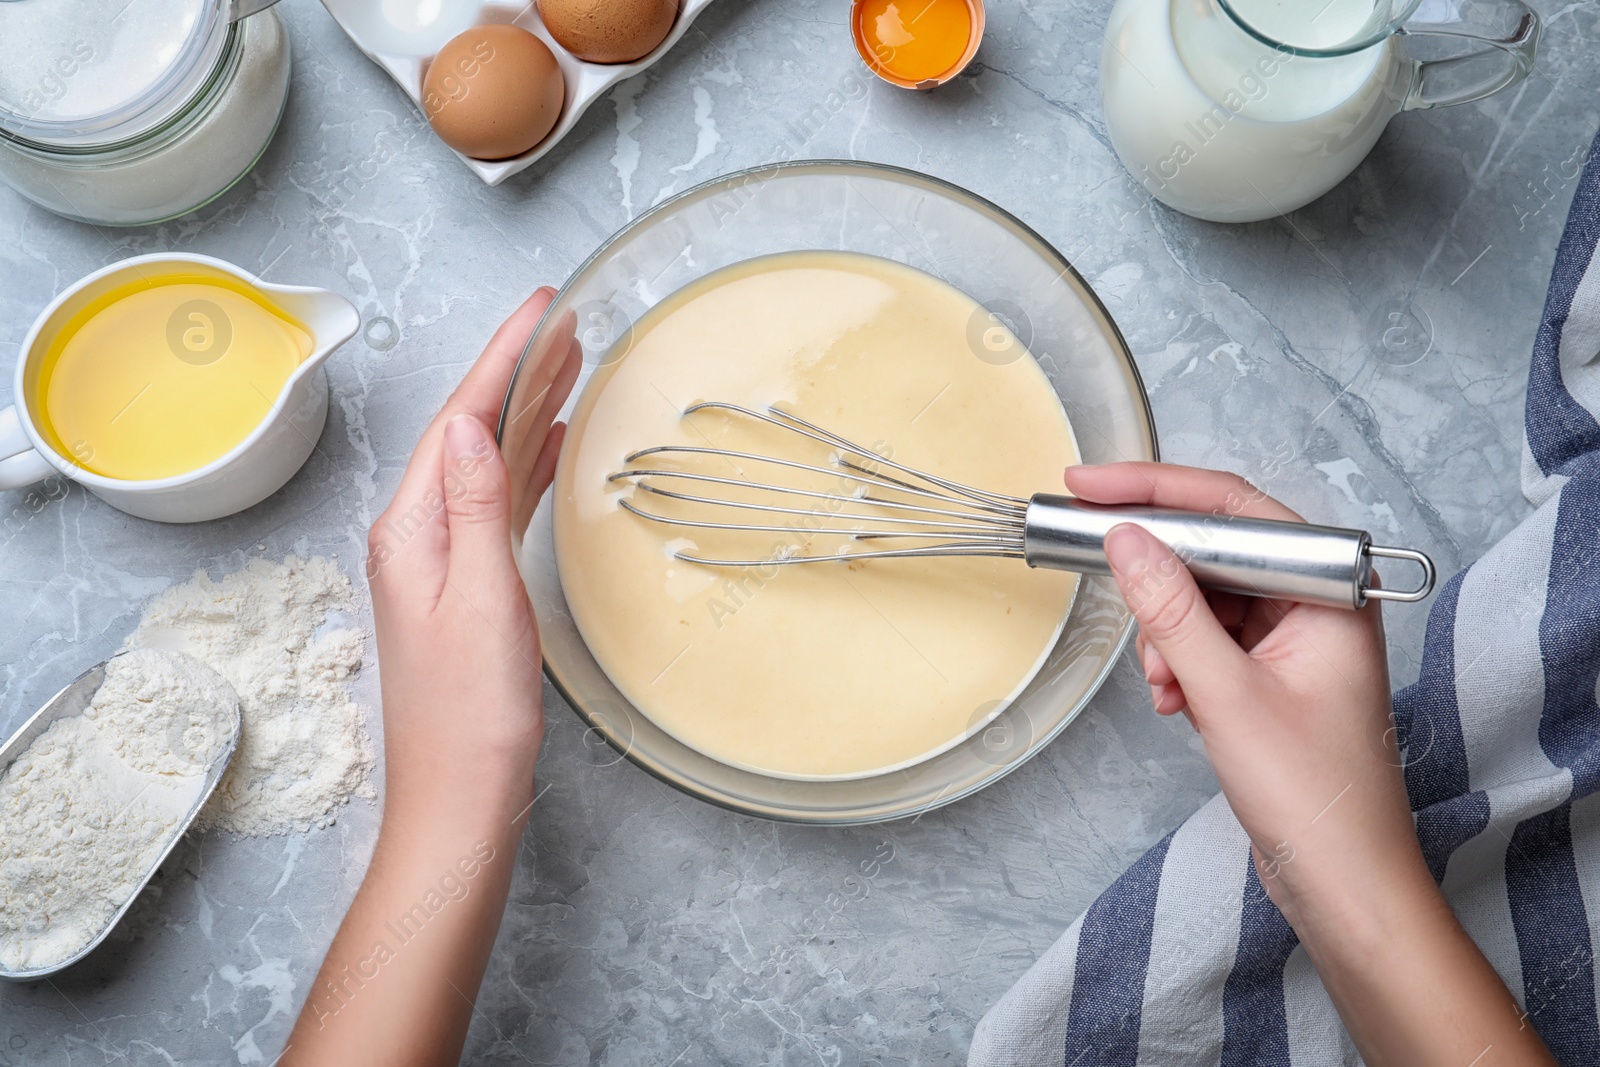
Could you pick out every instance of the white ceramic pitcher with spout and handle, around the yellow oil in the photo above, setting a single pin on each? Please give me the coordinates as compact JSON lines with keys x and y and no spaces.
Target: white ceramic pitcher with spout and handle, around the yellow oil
{"x":252,"y":471}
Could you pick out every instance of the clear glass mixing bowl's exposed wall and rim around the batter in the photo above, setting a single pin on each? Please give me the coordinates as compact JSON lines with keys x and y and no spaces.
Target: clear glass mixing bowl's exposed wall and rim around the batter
{"x":943,"y":231}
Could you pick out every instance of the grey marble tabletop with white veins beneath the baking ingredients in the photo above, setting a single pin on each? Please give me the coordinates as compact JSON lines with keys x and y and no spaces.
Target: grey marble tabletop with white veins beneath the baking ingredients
{"x":1362,"y":359}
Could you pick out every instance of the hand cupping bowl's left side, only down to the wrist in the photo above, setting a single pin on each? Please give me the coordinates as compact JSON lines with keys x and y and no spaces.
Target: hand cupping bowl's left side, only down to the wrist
{"x":457,"y":639}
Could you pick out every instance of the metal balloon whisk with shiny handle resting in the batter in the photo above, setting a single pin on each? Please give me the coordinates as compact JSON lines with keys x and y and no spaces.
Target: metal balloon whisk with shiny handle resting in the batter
{"x":903,"y":513}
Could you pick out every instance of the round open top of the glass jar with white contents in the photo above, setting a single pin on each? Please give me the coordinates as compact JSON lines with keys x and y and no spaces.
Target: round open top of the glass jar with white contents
{"x":89,"y":71}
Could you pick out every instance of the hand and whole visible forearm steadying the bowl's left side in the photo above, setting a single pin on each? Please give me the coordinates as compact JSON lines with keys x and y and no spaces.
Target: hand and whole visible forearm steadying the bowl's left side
{"x":458,"y":649}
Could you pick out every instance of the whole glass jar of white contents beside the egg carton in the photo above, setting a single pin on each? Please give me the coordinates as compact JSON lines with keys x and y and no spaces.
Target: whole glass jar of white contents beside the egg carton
{"x":142,"y":118}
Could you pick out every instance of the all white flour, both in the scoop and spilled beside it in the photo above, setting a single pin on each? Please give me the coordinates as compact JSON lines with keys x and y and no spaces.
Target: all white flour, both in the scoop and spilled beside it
{"x":95,"y":801}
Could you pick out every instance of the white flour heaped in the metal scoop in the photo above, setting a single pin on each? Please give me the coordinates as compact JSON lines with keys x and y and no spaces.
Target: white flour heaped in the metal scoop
{"x":92,"y":804}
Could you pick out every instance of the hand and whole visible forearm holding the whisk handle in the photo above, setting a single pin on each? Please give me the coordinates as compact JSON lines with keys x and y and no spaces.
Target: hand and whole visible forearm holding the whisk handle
{"x":1292,"y":703}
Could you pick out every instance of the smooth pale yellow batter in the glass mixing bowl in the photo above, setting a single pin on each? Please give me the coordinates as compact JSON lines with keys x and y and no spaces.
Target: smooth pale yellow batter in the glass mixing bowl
{"x":817,"y":671}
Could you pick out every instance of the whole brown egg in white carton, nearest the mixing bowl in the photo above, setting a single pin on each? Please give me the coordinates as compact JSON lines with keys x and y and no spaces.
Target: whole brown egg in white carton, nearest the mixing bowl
{"x":494,"y":92}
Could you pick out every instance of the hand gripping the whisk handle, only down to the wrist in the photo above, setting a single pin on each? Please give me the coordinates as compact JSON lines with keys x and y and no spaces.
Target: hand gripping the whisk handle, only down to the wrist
{"x":1290,"y":700}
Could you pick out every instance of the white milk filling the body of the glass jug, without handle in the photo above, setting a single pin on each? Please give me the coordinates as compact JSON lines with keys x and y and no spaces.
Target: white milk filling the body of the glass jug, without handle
{"x":1223,"y":127}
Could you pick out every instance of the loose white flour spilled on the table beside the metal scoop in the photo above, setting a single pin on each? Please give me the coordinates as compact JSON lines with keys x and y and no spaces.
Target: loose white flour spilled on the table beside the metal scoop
{"x":271,"y":629}
